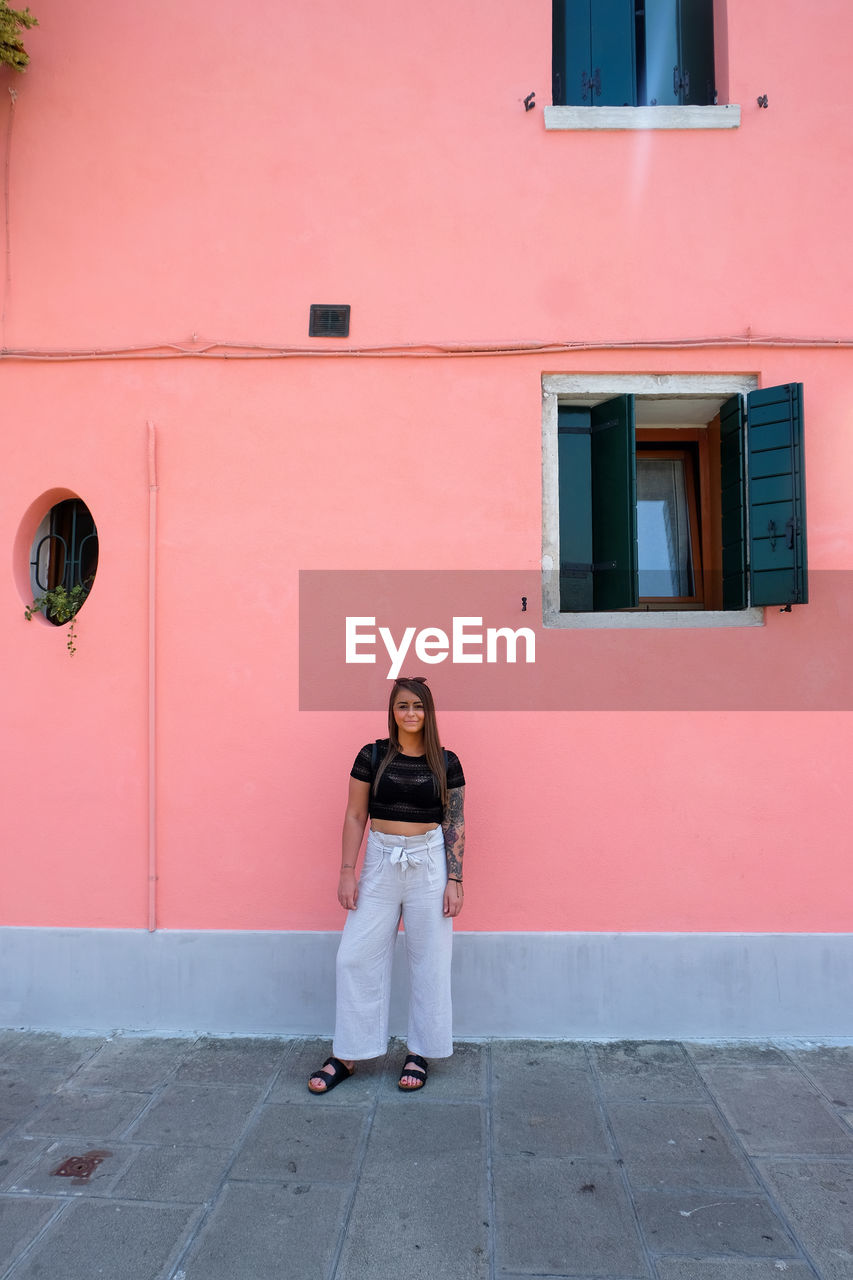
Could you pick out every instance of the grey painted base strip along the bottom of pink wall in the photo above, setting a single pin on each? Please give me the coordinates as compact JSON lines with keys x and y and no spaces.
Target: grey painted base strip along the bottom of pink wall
{"x":573,"y":986}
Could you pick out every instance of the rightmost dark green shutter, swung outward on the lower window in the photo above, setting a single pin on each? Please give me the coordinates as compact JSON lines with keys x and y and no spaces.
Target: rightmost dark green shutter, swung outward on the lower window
{"x":777,"y":496}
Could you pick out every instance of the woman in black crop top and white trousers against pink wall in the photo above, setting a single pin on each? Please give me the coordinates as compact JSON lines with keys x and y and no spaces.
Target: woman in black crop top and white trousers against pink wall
{"x":413,"y":792}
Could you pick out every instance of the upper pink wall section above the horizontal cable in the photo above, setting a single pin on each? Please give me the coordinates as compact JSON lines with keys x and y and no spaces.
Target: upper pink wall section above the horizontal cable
{"x":177,"y":173}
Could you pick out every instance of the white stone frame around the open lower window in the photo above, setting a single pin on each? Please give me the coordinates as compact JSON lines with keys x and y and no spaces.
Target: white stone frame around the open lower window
{"x":594,"y":388}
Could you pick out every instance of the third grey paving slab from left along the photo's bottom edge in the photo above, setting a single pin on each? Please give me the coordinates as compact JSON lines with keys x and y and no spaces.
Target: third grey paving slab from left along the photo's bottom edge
{"x":268,"y":1232}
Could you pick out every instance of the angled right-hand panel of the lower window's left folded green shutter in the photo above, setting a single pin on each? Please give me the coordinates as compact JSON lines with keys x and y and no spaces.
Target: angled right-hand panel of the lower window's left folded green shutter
{"x":614,"y":505}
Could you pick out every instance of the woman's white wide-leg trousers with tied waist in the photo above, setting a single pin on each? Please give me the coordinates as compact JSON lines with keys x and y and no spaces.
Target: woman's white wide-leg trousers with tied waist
{"x":403,"y":876}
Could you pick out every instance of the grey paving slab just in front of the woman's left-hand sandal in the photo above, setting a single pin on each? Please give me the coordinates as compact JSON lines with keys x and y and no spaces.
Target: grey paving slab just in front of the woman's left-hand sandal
{"x":300,"y":1140}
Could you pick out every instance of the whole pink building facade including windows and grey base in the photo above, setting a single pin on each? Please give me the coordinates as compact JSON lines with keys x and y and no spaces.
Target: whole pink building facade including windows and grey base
{"x":580,"y":369}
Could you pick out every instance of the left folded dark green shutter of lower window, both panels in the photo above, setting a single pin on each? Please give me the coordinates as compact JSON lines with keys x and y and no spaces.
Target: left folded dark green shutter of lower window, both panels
{"x":597,"y":508}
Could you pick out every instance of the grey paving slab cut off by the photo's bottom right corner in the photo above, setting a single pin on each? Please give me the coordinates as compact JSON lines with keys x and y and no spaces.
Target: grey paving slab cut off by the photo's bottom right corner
{"x":818,"y":1201}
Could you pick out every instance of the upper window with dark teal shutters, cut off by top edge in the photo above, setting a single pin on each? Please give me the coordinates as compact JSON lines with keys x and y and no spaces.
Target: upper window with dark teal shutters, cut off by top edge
{"x":633,"y":53}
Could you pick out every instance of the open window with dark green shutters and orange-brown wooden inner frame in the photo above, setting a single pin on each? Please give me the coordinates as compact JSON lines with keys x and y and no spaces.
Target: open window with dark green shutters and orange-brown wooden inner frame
{"x":682,"y":504}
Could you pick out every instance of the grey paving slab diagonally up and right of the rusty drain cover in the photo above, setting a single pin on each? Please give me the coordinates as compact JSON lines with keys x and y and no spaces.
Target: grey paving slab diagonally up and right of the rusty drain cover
{"x":200,"y":1116}
